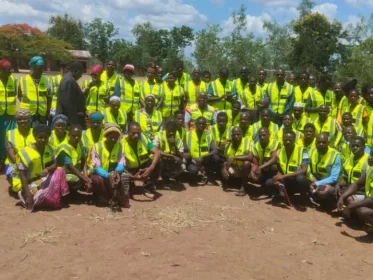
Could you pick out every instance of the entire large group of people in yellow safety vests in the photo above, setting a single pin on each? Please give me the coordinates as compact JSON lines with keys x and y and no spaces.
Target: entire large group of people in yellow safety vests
{"x":290,"y":136}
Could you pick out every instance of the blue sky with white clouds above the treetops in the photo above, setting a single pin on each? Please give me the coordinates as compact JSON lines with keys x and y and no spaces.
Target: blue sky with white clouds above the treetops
{"x":168,"y":13}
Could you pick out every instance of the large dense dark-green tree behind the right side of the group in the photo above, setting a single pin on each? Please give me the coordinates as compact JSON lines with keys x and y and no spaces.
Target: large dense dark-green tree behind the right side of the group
{"x":317,"y":44}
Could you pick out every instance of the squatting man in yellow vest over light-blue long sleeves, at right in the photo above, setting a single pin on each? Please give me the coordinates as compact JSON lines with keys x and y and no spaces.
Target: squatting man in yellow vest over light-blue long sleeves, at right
{"x":325,"y":169}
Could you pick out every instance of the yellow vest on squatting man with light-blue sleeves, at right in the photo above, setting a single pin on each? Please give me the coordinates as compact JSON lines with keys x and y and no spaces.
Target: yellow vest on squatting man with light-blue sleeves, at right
{"x":321,"y":165}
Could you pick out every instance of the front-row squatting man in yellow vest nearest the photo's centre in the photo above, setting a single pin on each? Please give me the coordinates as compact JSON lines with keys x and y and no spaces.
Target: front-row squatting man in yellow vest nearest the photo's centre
{"x":201,"y":153}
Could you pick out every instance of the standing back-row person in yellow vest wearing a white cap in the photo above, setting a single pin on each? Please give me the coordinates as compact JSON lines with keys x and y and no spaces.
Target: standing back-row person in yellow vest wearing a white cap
{"x":129,"y":91}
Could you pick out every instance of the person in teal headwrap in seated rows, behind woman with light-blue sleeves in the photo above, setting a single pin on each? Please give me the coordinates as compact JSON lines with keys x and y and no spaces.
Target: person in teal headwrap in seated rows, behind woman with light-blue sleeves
{"x":95,"y":132}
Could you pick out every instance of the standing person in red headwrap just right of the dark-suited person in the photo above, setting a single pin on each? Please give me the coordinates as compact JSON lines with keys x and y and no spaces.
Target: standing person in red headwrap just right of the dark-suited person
{"x":96,"y":91}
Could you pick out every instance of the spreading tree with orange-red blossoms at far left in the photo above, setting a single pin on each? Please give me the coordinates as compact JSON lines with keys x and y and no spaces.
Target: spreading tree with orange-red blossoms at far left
{"x":21,"y":41}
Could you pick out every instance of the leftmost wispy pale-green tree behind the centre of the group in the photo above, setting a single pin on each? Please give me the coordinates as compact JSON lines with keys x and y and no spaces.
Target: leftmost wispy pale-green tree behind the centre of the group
{"x":209,"y":51}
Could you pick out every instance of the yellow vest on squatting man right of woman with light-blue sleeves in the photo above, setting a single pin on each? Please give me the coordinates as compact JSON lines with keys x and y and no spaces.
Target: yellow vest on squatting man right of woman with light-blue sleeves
{"x":135,"y":159}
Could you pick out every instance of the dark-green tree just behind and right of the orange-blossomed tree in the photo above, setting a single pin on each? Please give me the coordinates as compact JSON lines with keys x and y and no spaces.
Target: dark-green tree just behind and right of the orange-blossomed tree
{"x":67,"y":29}
